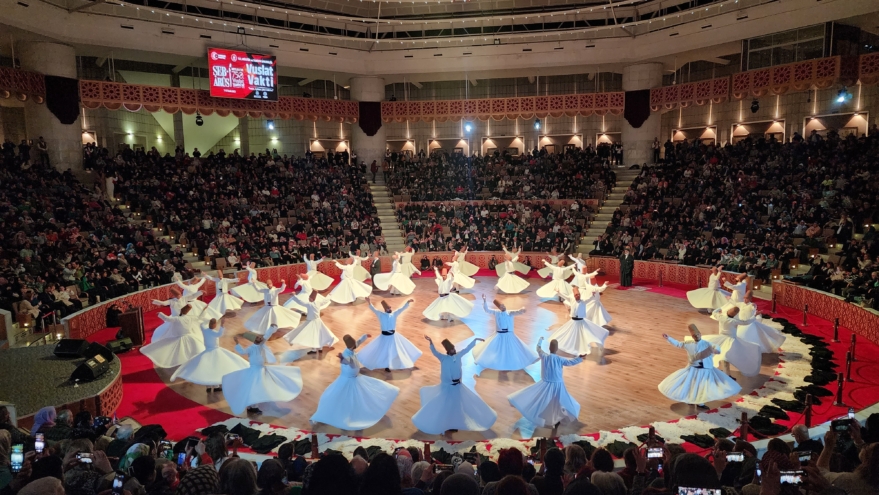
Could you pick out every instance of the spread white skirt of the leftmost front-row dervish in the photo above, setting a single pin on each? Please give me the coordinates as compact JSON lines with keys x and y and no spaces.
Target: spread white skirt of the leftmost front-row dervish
{"x":258,"y":384}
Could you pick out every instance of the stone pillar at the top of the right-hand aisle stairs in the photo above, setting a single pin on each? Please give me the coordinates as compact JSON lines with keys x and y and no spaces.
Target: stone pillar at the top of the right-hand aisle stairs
{"x":637,"y":143}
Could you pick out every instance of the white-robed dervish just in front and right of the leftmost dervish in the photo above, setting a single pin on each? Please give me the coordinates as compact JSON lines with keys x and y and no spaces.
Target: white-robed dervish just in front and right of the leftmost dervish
{"x":209,"y":367}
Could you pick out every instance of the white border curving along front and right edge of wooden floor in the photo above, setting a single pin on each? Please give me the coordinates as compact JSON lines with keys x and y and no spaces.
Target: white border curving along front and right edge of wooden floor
{"x":794,"y":366}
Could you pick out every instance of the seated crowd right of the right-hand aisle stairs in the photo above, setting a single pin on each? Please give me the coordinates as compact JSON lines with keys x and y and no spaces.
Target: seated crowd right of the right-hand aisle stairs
{"x":756,"y":206}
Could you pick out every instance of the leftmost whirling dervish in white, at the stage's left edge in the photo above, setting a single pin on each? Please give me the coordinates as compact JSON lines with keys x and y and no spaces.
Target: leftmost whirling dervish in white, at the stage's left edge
{"x":181,"y":343}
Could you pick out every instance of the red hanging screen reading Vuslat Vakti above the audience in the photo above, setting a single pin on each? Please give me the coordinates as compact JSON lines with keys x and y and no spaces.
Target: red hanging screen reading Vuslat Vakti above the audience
{"x":237,"y":74}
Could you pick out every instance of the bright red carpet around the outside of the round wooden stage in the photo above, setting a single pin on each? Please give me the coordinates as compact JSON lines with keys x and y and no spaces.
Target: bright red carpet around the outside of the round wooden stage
{"x":147,"y":399}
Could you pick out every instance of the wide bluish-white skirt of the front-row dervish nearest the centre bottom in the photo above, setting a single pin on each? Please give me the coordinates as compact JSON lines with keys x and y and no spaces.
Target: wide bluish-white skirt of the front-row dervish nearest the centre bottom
{"x":452,"y":407}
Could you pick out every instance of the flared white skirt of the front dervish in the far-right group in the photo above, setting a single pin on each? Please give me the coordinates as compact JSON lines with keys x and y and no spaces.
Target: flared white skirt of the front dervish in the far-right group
{"x":698,"y":385}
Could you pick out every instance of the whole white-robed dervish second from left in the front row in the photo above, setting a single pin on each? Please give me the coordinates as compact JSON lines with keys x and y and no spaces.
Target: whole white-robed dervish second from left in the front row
{"x":354,"y":401}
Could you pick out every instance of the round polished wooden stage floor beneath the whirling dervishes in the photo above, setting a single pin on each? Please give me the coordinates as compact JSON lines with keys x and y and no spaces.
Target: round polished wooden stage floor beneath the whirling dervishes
{"x":618,"y":392}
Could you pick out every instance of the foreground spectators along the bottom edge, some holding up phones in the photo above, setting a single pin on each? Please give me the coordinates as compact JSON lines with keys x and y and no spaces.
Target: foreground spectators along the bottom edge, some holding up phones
{"x":84,"y":455}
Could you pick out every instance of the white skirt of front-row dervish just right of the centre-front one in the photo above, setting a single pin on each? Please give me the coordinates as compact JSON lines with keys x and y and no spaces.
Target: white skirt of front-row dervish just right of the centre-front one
{"x":546,"y":403}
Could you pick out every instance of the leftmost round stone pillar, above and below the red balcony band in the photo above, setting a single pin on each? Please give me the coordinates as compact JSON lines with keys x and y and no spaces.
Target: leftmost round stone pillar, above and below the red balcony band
{"x":65,"y":141}
